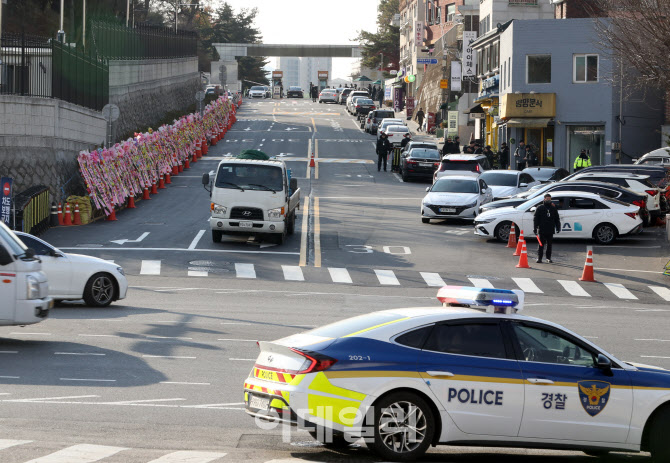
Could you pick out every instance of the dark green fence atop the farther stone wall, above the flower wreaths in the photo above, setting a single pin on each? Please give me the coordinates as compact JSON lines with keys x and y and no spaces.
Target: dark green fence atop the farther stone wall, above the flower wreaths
{"x":144,"y":41}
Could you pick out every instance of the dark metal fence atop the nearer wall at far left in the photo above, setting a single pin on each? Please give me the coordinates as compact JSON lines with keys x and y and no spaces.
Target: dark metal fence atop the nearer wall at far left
{"x":42,"y":67}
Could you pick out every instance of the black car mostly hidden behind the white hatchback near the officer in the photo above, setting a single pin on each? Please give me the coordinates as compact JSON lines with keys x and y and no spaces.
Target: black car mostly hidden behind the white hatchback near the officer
{"x":609,"y":190}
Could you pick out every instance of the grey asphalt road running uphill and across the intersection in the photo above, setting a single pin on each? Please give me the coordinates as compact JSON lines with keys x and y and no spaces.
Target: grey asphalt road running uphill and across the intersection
{"x":159,"y":374}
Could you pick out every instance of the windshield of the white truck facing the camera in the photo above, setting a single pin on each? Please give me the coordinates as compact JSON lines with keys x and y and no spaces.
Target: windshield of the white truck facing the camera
{"x":250,"y":177}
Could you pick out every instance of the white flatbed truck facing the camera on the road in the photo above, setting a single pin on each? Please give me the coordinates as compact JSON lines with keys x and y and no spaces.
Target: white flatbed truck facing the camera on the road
{"x":252,"y":197}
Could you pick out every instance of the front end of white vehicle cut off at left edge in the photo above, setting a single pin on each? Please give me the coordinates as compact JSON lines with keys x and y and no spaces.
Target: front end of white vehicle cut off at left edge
{"x":24,"y":292}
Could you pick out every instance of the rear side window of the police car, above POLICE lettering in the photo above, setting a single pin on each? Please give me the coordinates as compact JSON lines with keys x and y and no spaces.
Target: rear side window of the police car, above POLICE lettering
{"x":476,"y":339}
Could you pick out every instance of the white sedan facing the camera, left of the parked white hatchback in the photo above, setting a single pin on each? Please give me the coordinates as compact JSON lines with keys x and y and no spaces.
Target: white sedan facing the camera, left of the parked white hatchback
{"x":455,"y":197}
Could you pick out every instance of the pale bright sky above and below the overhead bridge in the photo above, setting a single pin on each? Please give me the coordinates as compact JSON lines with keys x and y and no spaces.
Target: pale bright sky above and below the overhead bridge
{"x":313,"y":22}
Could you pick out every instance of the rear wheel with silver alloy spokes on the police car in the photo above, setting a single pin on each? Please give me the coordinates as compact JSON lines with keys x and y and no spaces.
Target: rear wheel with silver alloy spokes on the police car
{"x":403,"y":427}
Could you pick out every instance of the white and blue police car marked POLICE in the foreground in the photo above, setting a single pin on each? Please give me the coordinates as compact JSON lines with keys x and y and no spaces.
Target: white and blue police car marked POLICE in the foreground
{"x":406,"y":379}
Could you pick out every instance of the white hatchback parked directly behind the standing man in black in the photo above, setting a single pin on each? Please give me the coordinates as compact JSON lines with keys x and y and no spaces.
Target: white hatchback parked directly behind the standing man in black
{"x":583,"y":215}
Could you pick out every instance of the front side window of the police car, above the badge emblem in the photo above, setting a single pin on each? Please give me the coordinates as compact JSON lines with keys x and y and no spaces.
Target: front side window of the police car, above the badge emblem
{"x":540,"y":345}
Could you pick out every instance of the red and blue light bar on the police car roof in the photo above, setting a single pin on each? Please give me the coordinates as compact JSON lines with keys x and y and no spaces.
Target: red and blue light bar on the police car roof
{"x":503,"y":301}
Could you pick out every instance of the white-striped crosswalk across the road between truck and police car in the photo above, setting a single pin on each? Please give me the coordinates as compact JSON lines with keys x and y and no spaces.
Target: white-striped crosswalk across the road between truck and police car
{"x":404,"y":278}
